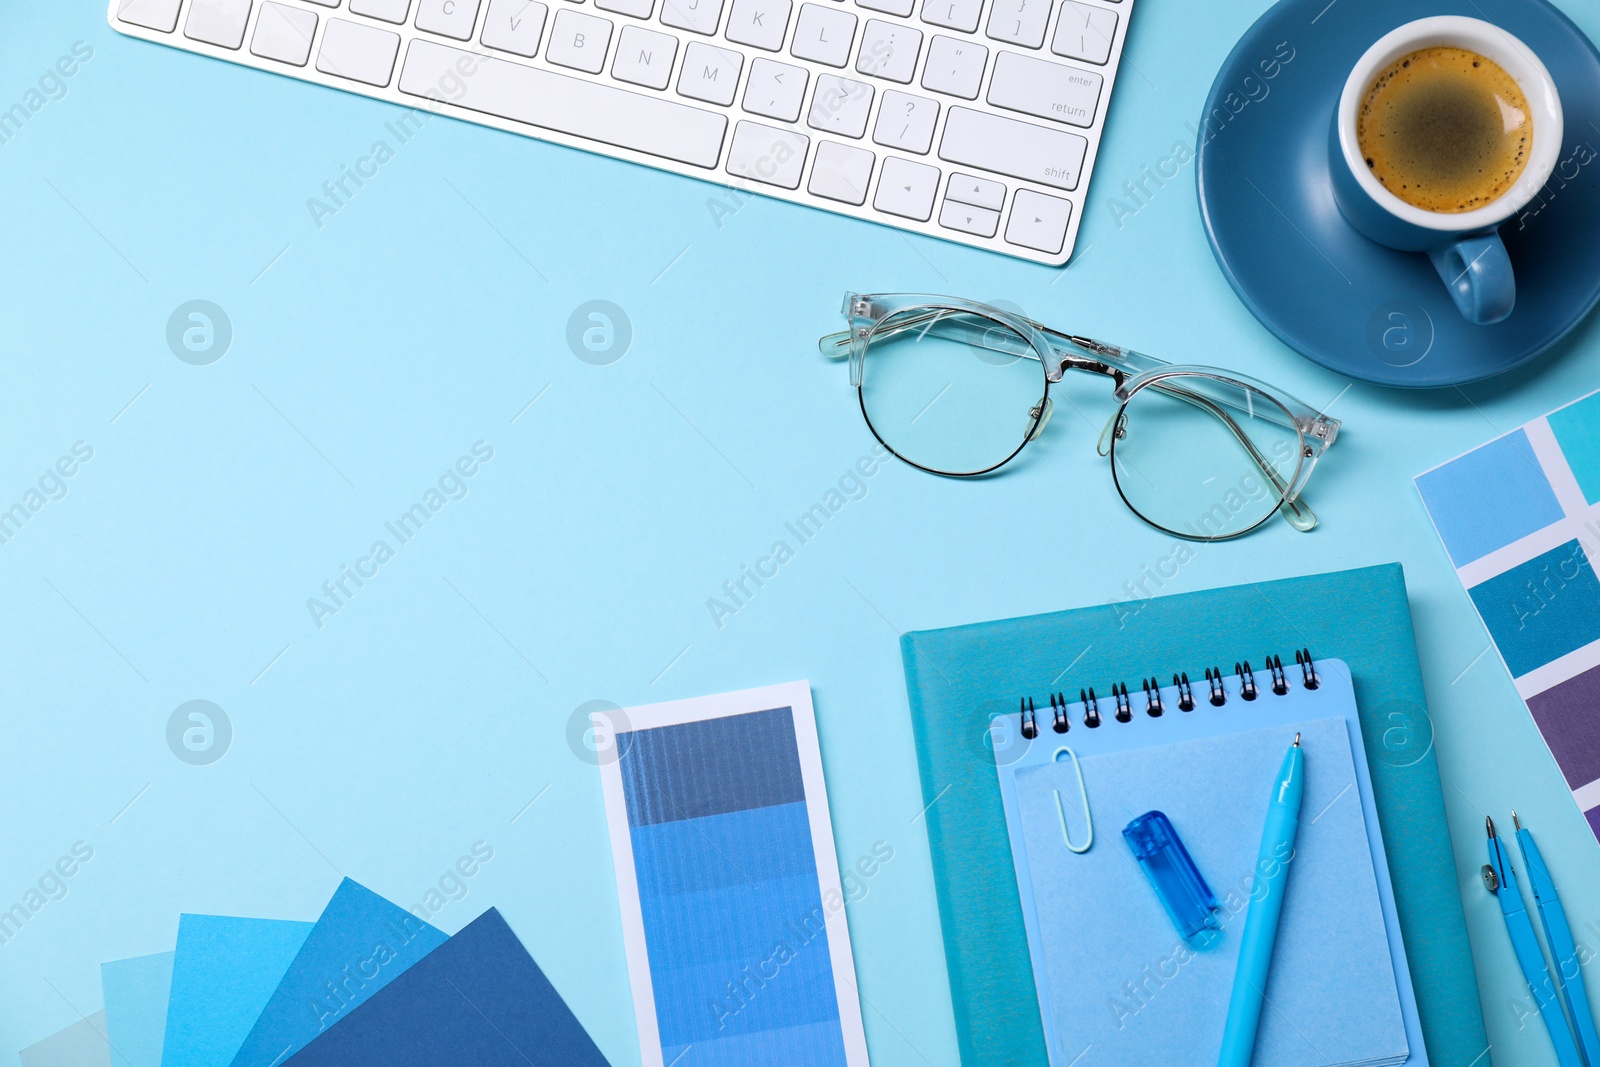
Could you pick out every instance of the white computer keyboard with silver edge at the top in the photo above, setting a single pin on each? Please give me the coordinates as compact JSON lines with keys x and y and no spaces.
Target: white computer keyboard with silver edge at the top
{"x":974,"y":121}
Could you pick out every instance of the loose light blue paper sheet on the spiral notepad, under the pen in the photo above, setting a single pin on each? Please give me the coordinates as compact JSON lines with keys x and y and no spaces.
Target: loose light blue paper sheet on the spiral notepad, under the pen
{"x":1121,"y":981}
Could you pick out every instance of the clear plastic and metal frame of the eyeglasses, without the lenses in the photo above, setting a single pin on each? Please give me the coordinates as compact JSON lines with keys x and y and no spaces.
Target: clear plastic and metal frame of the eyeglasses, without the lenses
{"x":1130,"y":372}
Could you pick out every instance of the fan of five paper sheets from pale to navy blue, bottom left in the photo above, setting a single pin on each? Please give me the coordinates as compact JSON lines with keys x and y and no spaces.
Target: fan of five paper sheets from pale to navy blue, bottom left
{"x":367,"y":983}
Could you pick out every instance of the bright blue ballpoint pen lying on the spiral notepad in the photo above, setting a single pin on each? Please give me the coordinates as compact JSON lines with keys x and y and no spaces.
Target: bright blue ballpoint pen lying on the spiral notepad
{"x":1262,"y":922}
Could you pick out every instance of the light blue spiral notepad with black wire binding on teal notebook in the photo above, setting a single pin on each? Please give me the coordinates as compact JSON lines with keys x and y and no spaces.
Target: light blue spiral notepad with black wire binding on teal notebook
{"x":1116,"y":981}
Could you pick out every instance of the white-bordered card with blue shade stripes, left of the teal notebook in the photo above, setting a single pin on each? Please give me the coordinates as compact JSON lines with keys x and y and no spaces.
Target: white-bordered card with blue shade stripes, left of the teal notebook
{"x":732,"y":906}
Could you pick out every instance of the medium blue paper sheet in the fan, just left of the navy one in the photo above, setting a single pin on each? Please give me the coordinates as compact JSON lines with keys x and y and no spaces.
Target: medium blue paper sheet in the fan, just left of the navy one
{"x":359,"y":945}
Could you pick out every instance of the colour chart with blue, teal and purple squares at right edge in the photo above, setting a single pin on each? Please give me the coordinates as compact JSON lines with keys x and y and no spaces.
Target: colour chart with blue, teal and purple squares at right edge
{"x":1521,"y":521}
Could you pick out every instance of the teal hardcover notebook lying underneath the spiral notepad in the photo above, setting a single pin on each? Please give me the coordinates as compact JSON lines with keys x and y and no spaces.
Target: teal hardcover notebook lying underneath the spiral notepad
{"x":961,"y":677}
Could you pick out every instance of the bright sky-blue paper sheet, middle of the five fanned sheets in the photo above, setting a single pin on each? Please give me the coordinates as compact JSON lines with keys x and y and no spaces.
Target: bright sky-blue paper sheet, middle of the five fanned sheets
{"x":223,"y":975}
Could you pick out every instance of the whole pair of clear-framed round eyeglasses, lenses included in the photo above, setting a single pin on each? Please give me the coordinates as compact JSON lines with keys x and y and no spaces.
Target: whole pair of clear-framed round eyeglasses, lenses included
{"x":959,"y":390}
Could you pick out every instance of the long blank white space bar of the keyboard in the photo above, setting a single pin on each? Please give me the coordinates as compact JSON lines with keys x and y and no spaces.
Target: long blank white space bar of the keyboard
{"x":554,"y":102}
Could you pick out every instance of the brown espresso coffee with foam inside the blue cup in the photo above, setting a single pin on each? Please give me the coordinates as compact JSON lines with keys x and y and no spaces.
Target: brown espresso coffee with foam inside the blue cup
{"x":1446,"y":130}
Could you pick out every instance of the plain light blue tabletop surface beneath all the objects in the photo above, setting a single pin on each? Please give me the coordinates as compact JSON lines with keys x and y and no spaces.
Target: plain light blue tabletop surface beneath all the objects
{"x":433,"y":709}
